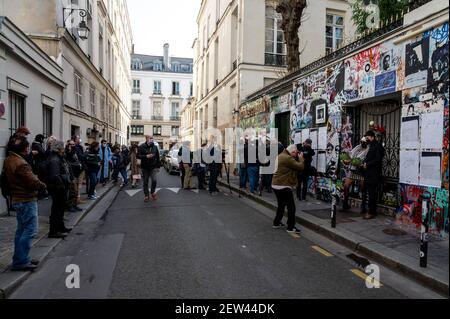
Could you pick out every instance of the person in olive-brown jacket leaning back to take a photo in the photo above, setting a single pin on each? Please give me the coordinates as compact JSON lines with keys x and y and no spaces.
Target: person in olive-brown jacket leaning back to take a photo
{"x":284,"y":181}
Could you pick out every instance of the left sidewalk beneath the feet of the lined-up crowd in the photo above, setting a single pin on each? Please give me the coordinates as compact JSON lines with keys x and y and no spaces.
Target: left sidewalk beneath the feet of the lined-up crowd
{"x":42,"y":245}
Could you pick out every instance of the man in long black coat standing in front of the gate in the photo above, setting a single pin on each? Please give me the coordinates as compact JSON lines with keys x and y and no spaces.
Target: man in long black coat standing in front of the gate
{"x":373,"y":172}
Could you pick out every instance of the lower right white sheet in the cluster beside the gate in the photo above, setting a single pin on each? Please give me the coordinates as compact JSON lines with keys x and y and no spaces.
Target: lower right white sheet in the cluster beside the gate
{"x":430,"y":169}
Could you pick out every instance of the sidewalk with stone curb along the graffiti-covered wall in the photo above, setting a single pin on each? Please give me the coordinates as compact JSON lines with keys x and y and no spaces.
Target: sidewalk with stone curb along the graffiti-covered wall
{"x":384,"y":240}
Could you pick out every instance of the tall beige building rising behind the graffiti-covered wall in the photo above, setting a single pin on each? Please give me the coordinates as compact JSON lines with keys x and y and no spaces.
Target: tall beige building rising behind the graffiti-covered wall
{"x":240,"y":49}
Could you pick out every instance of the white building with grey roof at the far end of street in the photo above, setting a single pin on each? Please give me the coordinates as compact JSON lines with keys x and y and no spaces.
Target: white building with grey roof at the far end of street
{"x":161,"y":87}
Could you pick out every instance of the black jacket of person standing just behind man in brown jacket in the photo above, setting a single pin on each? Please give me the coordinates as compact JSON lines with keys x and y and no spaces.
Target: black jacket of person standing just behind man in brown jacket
{"x":59,"y":177}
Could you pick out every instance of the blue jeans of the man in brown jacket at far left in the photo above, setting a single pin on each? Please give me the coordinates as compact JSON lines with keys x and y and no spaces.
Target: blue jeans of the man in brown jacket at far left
{"x":27,"y":225}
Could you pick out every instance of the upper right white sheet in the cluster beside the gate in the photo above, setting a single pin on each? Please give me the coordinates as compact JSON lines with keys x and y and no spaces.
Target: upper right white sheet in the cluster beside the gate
{"x":432,"y":126}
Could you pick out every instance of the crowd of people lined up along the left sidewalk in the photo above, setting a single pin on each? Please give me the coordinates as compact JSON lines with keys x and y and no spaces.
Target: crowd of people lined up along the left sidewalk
{"x":50,"y":168}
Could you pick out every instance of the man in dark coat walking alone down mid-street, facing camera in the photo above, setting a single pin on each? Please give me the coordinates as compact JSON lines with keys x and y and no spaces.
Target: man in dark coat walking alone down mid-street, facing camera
{"x":150,"y":164}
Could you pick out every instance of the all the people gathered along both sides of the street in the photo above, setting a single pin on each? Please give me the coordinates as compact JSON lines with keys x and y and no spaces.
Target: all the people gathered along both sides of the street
{"x":52,"y":168}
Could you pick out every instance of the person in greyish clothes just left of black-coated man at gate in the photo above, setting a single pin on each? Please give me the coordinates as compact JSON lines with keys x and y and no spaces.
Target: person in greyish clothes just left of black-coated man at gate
{"x":354,"y":173}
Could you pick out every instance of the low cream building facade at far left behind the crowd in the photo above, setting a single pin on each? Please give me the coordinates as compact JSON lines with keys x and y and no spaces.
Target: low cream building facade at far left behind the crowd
{"x":31,"y":88}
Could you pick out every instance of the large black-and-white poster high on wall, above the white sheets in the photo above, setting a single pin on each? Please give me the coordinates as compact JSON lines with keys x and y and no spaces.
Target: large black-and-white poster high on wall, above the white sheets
{"x":417,"y":60}
